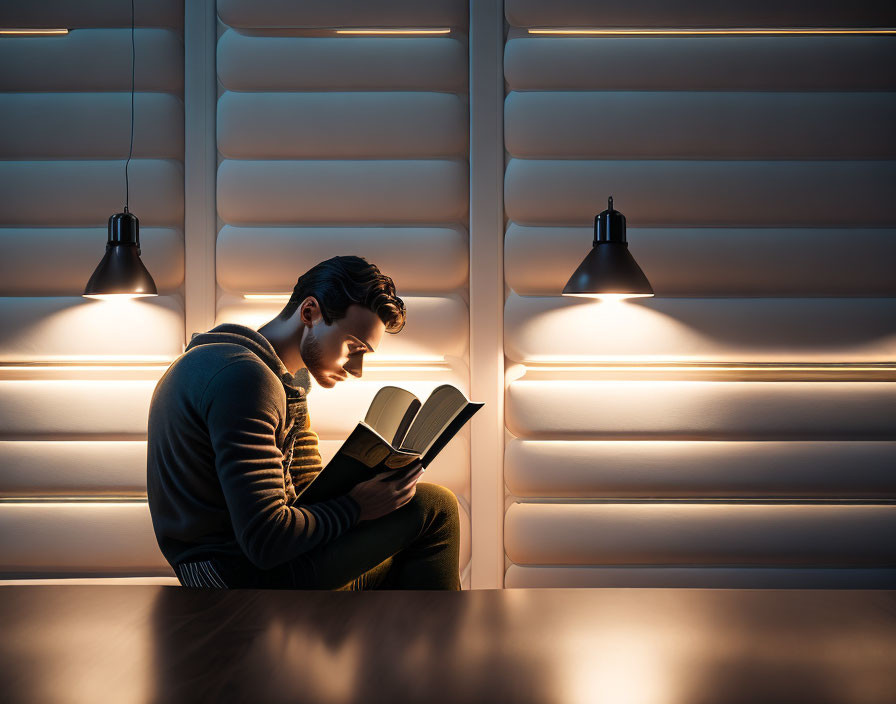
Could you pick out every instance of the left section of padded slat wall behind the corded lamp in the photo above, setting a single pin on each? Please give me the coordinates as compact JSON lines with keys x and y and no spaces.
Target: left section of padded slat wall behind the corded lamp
{"x":79,"y":434}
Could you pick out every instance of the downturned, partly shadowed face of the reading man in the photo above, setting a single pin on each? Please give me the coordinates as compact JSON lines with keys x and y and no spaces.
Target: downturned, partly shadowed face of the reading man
{"x":332,"y":352}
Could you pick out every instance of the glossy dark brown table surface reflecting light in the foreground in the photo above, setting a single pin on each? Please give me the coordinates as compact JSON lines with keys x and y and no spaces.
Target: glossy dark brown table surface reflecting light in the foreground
{"x":161,"y":644}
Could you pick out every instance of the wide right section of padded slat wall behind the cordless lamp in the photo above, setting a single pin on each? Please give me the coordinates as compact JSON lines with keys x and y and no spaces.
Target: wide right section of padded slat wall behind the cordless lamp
{"x":756,"y":175}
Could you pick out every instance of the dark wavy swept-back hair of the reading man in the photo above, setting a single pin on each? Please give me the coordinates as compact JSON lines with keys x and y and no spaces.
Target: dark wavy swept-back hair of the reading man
{"x":339,"y":282}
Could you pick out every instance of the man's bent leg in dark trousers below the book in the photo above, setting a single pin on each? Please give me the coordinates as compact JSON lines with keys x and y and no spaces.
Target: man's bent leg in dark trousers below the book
{"x":416,"y":546}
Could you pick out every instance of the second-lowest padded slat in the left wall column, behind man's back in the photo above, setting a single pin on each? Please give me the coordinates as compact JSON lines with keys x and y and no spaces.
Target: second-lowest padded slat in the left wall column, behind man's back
{"x":72,"y":468}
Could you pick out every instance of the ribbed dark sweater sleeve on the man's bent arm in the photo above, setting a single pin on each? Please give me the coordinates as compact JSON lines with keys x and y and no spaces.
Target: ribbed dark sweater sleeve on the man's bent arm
{"x":242,"y":414}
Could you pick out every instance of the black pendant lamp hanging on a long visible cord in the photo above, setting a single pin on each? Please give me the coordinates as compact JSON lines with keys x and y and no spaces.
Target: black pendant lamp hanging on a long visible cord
{"x":121,"y":273}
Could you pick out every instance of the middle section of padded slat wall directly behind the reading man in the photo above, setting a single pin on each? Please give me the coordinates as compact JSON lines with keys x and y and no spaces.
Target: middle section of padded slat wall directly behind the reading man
{"x":366,"y":154}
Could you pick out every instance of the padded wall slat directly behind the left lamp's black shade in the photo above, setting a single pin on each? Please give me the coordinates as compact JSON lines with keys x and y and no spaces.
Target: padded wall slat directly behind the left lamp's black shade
{"x":58,"y":261}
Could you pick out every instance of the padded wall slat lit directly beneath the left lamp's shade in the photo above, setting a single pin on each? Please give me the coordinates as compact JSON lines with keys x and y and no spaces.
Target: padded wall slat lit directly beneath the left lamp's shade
{"x":51,"y":328}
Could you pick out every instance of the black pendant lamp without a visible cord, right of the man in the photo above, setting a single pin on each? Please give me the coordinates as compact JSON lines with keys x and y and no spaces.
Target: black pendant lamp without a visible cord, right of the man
{"x":609,"y":271}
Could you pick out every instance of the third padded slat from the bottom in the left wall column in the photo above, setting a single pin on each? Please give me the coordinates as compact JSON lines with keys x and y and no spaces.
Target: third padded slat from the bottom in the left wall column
{"x":60,"y":409}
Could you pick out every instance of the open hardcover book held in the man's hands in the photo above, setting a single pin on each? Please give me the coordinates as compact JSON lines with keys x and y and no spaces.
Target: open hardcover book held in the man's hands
{"x":396,"y":431}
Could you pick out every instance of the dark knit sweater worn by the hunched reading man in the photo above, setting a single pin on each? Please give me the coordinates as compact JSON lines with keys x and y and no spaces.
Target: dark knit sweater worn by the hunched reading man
{"x":229,"y":446}
